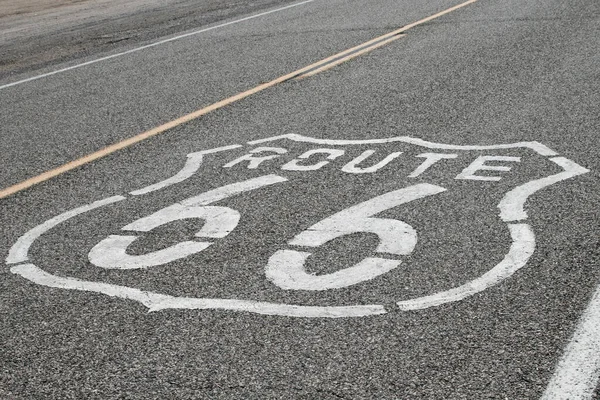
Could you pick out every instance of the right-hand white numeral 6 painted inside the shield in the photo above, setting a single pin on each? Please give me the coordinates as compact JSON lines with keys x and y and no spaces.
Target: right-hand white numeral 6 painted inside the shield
{"x":286,"y":268}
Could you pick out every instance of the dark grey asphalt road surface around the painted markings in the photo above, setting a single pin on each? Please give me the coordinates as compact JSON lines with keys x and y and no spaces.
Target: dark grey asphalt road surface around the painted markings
{"x":492,"y":72}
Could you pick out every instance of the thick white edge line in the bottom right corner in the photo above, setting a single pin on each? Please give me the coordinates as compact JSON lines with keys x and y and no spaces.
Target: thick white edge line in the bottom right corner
{"x":578,"y":372}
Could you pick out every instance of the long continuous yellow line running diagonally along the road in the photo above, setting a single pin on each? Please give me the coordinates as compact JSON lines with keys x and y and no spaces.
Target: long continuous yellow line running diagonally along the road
{"x":203,"y":111}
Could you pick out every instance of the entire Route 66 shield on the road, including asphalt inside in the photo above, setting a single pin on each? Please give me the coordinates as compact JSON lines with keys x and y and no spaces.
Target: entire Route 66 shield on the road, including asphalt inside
{"x":306,"y":222}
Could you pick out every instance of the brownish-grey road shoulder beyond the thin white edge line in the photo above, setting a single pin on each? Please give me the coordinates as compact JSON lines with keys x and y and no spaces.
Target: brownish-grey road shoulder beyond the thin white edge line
{"x":43,"y":33}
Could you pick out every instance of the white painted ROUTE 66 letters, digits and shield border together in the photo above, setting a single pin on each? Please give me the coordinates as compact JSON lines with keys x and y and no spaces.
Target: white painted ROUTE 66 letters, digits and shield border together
{"x":286,"y":268}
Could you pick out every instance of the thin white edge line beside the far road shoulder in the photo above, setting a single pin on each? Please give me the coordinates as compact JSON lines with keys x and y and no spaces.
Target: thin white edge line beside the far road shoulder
{"x":134,"y":50}
